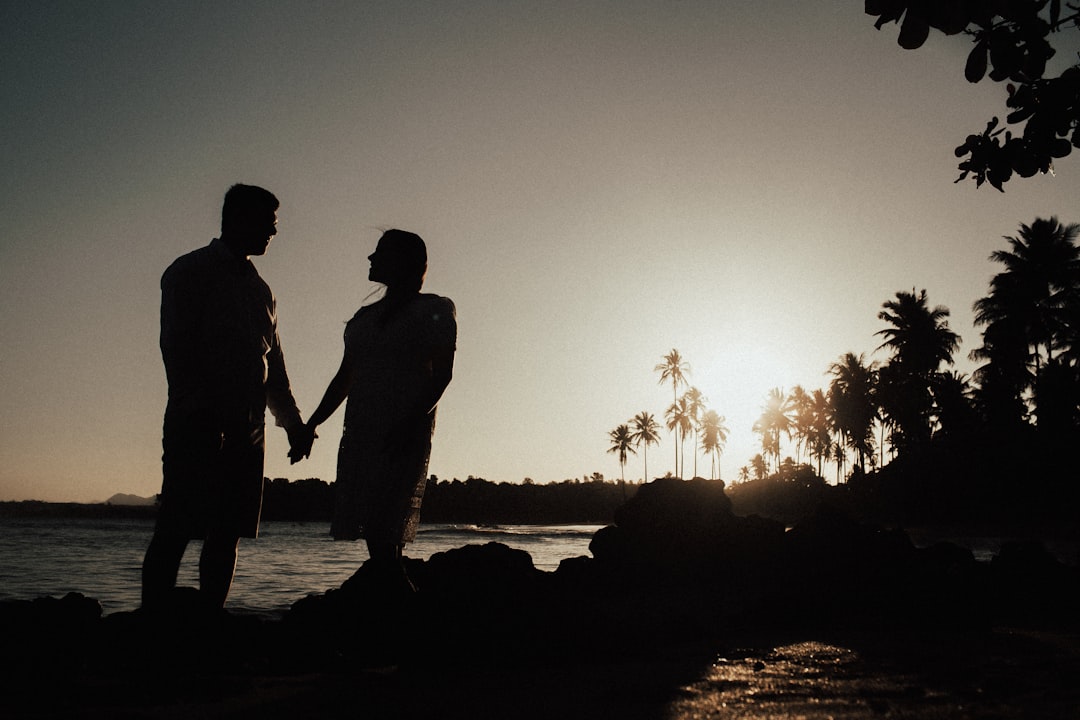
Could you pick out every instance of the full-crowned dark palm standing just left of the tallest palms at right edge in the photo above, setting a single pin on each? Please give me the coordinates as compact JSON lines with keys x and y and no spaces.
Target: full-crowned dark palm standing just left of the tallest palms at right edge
{"x":921,"y":341}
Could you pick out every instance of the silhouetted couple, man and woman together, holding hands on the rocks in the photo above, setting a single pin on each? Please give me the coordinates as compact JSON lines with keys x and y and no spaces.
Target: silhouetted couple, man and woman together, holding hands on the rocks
{"x":225,"y":369}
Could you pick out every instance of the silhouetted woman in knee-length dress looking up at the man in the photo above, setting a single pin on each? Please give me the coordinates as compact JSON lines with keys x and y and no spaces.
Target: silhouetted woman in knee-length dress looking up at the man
{"x":399,"y":359}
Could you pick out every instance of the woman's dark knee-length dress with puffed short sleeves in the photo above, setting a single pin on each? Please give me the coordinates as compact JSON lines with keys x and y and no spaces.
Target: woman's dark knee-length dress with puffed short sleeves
{"x":383,"y":461}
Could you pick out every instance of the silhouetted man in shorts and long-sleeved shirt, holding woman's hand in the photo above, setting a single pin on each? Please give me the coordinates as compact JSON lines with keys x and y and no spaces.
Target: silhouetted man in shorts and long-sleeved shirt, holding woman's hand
{"x":225,"y":368}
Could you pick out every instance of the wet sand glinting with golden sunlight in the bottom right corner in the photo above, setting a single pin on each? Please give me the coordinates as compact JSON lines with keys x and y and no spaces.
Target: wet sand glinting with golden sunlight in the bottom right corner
{"x":1007,"y":674}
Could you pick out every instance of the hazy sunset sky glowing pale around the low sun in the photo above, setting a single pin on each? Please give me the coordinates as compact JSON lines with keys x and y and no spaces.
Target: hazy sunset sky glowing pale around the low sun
{"x":598,"y":183}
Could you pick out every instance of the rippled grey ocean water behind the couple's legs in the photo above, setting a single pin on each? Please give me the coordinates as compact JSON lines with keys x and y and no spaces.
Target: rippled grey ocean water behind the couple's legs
{"x":103,"y":559}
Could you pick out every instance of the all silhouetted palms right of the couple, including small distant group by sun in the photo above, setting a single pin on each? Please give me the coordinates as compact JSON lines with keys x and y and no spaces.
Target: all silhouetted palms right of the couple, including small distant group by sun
{"x":910,"y":418}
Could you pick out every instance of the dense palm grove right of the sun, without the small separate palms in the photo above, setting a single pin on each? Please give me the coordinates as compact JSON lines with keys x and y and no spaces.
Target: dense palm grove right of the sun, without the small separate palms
{"x":1027,"y":389}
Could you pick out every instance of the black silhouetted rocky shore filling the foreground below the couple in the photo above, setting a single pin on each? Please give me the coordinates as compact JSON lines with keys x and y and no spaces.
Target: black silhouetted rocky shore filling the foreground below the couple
{"x":684,"y":610}
